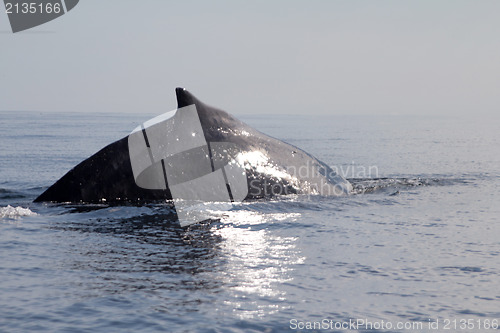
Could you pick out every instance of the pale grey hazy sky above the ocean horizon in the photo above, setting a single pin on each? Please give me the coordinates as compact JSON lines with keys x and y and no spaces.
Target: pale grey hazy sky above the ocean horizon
{"x":325,"y":57}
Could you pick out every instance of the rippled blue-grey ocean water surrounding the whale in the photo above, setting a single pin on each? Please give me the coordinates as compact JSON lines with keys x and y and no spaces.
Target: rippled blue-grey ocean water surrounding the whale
{"x":415,"y":247}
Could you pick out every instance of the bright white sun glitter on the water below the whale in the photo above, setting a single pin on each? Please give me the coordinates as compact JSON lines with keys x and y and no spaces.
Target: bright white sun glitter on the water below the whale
{"x":257,"y":261}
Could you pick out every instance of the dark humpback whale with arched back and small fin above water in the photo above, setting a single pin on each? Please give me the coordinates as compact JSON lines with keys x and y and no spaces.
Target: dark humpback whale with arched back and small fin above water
{"x":195,"y":152}
